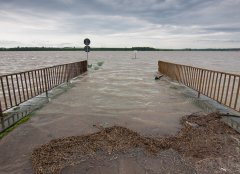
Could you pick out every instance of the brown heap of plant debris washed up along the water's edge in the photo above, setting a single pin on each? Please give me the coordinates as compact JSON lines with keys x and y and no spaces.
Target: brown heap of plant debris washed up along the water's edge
{"x":201,"y":137}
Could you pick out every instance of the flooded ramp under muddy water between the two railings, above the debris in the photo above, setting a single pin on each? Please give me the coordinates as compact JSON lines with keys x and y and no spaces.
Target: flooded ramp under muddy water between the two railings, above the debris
{"x":123,"y":94}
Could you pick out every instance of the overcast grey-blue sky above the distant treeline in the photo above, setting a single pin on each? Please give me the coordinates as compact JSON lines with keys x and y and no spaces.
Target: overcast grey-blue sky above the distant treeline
{"x":120,"y":23}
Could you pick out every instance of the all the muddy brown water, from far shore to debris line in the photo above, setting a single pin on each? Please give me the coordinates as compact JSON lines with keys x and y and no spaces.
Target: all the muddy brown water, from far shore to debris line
{"x":121,"y":92}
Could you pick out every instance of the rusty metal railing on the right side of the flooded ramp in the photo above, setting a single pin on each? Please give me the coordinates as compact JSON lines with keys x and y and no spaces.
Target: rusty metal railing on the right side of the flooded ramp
{"x":220,"y":86}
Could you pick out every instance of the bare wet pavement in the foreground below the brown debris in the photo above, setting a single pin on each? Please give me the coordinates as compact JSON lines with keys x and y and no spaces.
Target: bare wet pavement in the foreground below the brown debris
{"x":134,"y":162}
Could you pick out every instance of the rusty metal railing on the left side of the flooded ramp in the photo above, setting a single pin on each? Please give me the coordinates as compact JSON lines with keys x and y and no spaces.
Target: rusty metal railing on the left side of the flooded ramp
{"x":17,"y":88}
